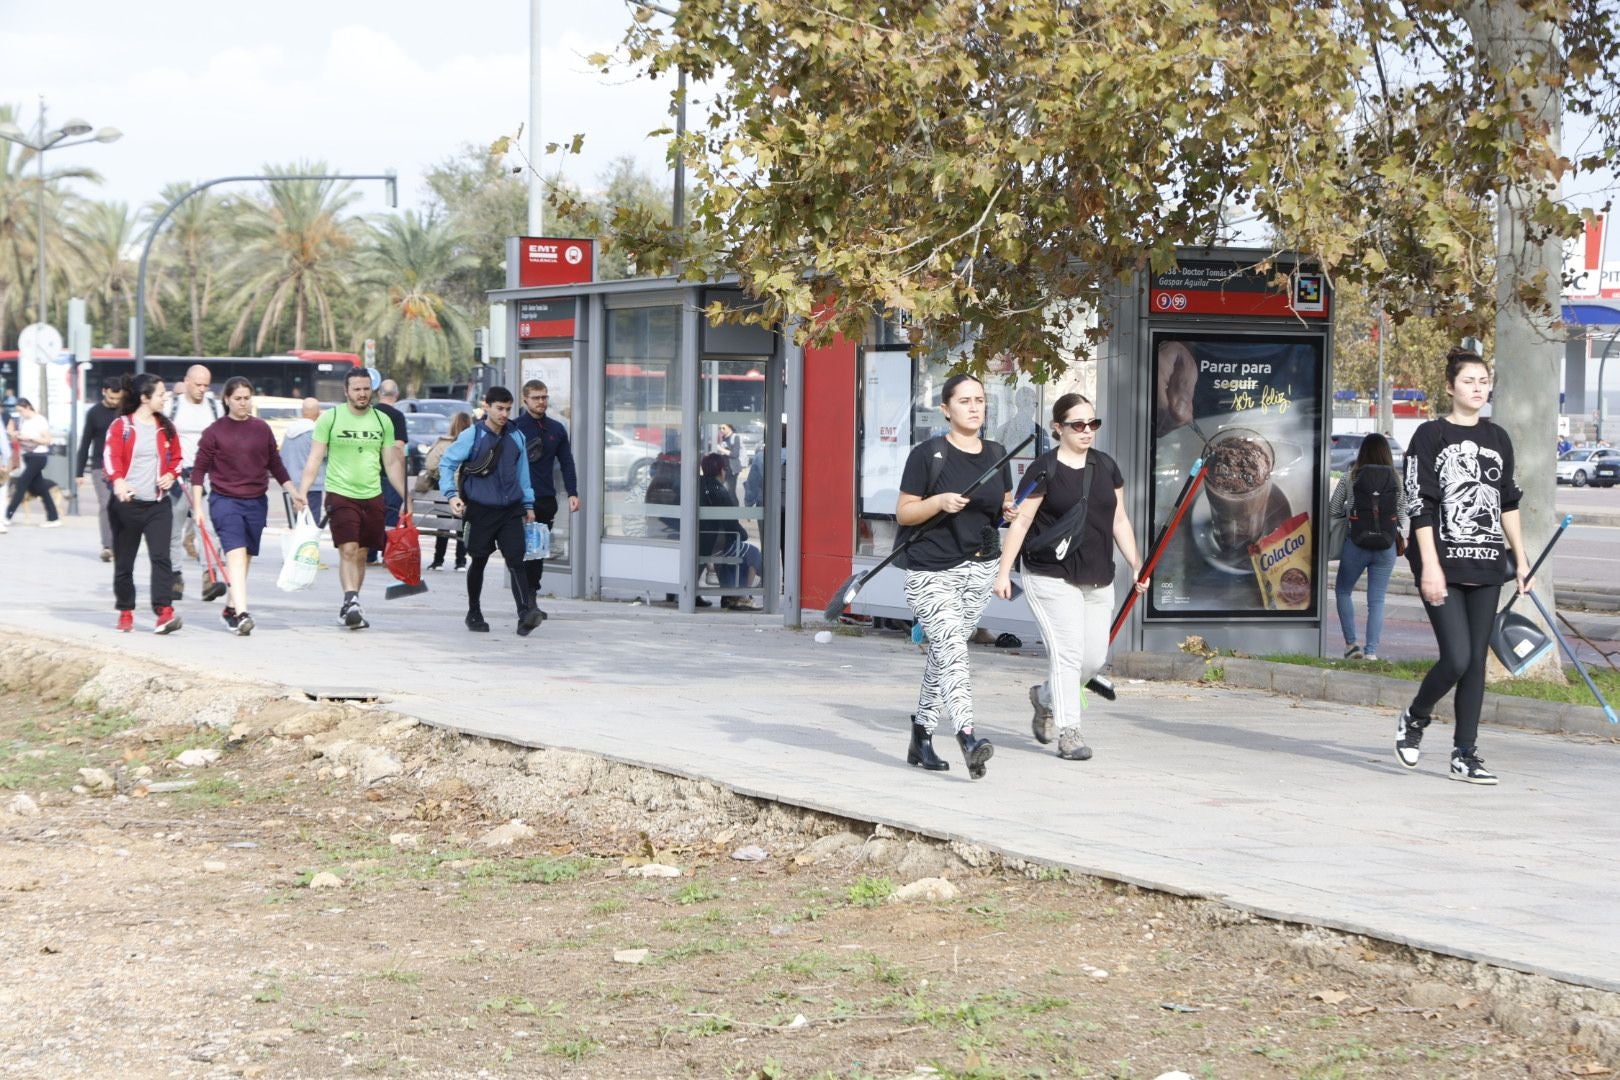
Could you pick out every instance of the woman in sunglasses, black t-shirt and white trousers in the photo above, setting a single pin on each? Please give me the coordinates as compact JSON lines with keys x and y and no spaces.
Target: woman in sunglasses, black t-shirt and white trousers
{"x":1068,"y":524}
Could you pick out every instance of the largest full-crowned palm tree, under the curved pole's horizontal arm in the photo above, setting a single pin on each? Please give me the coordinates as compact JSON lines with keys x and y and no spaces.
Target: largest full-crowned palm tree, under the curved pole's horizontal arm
{"x":296,"y":250}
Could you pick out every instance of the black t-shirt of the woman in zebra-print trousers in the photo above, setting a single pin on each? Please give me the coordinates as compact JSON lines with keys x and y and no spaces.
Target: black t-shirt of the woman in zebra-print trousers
{"x":960,"y":537}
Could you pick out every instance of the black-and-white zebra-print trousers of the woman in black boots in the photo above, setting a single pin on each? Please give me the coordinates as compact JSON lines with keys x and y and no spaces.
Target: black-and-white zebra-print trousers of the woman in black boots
{"x":949,"y":605}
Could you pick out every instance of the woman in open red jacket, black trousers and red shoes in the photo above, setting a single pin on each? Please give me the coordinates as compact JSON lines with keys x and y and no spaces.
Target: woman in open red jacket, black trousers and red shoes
{"x":143,"y":466}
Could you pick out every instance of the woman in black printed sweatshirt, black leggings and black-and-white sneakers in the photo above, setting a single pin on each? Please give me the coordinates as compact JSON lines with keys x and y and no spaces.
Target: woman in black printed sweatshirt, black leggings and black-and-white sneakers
{"x":1465,"y":519}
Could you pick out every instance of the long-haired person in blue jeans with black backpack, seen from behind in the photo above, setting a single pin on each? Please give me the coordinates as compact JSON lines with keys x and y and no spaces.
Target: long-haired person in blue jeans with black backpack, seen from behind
{"x":1373,"y":500}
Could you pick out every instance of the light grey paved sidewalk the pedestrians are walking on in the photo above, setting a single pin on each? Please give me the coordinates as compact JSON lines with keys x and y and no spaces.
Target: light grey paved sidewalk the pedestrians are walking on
{"x":1294,"y":810}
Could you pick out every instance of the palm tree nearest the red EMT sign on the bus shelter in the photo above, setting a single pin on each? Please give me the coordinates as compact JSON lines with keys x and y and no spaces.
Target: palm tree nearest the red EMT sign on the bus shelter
{"x":404,"y":278}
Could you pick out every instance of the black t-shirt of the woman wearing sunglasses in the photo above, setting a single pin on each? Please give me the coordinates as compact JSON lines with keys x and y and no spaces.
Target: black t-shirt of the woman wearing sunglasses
{"x":1089,"y":559}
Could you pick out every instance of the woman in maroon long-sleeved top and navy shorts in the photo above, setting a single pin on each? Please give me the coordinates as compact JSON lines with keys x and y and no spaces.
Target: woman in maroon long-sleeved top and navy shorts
{"x":236,"y":459}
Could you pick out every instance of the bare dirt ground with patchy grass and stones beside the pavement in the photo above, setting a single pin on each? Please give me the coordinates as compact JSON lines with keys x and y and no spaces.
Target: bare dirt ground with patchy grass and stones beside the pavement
{"x":331,"y":898}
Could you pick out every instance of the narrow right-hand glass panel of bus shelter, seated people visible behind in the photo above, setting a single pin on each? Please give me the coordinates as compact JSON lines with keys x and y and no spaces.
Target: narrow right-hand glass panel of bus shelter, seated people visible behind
{"x":733,"y":488}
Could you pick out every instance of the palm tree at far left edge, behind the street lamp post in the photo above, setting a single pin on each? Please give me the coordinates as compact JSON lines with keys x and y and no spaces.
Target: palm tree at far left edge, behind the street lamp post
{"x":20,"y":190}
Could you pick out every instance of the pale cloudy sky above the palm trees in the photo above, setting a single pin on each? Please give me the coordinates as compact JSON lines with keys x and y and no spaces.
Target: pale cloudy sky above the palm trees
{"x":208,"y":90}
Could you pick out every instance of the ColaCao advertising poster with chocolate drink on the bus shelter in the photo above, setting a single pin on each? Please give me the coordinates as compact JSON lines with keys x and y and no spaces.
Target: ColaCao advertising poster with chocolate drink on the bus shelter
{"x":1253,"y":407}
